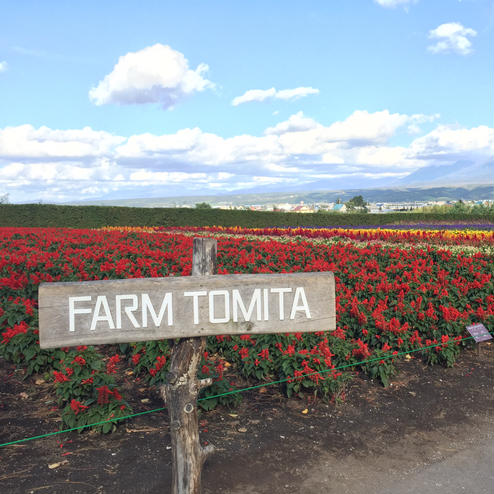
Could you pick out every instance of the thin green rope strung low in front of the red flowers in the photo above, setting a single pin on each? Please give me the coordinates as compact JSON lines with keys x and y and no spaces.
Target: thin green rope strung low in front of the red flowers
{"x":236,"y":391}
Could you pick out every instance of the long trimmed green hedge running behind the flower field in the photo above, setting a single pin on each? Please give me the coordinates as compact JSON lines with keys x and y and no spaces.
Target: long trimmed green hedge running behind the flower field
{"x":46,"y":215}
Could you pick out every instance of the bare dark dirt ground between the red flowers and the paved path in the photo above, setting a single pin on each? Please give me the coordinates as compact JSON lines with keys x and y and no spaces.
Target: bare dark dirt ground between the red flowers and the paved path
{"x":267,"y":444}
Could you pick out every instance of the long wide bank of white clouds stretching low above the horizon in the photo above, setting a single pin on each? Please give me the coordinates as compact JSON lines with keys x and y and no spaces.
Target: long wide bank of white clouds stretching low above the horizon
{"x":50,"y":164}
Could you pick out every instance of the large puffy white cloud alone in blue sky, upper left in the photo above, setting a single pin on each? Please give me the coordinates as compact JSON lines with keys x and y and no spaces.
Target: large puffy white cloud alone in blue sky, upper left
{"x":156,"y":74}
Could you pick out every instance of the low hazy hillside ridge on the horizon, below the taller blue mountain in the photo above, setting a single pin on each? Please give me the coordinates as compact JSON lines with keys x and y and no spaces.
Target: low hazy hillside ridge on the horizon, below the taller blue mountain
{"x":396,"y":194}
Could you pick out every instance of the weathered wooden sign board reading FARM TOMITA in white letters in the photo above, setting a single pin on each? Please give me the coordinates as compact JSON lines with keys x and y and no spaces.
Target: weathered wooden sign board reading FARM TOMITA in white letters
{"x":117,"y":311}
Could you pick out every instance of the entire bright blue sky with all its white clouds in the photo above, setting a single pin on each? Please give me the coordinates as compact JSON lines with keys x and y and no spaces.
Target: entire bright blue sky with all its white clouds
{"x":105,"y":100}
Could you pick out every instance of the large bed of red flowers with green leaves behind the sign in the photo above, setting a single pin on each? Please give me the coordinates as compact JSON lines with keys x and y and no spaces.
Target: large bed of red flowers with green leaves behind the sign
{"x":389,"y":300}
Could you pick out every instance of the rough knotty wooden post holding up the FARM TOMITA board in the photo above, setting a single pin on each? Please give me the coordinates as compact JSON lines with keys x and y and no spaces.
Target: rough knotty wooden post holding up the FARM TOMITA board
{"x":182,"y":388}
